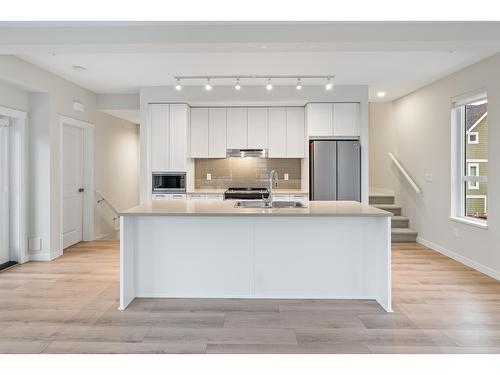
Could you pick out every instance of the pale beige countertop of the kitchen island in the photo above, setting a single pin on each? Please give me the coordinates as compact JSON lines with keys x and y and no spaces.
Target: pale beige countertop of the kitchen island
{"x":226,"y":208}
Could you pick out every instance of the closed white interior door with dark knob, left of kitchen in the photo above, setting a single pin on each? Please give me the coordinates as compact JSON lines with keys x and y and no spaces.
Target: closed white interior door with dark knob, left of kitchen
{"x":72,"y":185}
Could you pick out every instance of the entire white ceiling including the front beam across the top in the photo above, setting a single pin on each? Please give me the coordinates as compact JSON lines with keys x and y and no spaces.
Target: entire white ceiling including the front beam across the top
{"x":395,"y":57}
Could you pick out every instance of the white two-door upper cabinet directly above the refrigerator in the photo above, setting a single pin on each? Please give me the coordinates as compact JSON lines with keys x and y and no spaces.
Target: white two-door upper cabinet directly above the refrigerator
{"x":333,"y":119}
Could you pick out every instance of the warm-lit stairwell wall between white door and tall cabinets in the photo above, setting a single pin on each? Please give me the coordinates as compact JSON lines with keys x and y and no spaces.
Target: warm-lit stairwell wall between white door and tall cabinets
{"x":116,"y":170}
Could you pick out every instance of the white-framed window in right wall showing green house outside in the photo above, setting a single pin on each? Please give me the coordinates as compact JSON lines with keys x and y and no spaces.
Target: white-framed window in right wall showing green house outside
{"x":470,"y":159}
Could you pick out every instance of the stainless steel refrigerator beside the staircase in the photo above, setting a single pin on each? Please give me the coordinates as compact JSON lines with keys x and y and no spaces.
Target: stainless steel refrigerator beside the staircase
{"x":335,"y":170}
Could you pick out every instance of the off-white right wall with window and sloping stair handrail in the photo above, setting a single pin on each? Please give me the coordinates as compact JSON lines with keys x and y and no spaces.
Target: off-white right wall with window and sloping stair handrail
{"x":420,"y":124}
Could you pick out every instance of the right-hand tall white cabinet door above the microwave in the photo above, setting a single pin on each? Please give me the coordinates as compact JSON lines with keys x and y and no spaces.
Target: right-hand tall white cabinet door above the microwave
{"x":178,"y":137}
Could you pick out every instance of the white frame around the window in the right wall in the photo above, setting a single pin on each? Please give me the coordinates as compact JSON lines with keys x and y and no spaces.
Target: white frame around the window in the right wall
{"x":459,"y":164}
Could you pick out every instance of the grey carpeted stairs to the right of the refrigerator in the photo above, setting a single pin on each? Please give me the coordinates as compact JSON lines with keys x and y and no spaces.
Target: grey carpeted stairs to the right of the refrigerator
{"x":400,"y":231}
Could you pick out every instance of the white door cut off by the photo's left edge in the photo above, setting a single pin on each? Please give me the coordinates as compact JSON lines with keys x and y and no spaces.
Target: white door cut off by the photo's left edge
{"x":4,"y":190}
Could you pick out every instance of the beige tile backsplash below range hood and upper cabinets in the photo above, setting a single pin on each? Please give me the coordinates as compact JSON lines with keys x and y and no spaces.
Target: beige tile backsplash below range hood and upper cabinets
{"x":246,"y":172}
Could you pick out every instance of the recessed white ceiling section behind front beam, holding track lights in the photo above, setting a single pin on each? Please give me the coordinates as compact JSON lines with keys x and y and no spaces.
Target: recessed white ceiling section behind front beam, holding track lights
{"x":396,"y":73}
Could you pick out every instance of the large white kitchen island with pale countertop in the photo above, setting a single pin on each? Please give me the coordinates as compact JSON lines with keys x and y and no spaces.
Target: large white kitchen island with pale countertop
{"x":210,"y":249}
